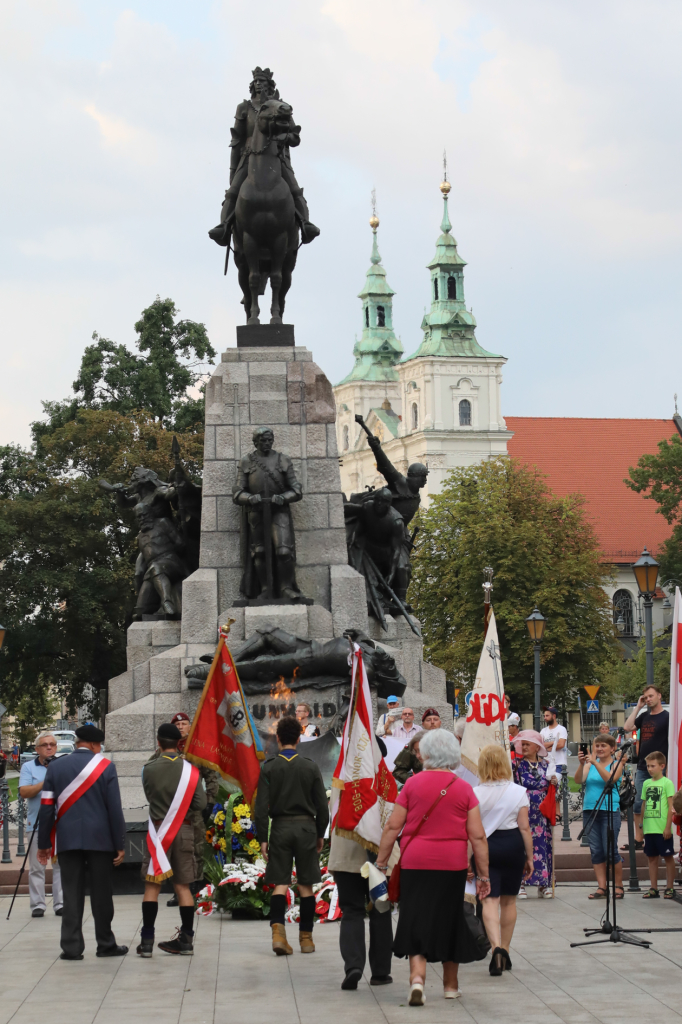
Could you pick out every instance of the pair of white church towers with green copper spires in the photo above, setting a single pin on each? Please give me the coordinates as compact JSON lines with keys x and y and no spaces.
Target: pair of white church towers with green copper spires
{"x":440,"y":405}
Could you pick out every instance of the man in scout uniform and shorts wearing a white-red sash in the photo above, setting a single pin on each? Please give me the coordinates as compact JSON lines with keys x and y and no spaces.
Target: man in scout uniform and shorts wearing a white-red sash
{"x":163,"y":780}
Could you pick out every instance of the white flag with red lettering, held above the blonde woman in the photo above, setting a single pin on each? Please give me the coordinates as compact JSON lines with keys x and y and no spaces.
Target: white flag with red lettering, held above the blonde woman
{"x":487,"y":717}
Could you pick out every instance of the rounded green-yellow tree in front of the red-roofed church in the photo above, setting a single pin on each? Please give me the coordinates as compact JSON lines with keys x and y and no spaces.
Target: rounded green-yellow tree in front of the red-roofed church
{"x":544,"y":552}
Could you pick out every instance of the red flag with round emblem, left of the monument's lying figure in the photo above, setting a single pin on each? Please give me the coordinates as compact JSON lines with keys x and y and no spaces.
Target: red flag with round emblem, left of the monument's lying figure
{"x":223,"y":735}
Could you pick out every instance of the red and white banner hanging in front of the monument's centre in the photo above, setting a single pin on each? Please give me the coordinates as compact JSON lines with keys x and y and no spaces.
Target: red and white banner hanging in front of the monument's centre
{"x":363,"y":789}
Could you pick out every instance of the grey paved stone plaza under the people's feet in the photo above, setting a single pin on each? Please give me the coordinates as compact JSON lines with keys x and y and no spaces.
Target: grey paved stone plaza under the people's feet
{"x":235,"y":977}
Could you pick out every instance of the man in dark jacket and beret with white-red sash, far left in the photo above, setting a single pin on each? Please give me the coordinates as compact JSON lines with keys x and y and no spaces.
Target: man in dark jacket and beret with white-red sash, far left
{"x":82,"y":820}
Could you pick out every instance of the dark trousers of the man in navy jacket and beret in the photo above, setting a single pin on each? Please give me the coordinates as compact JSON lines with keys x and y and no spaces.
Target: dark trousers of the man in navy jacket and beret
{"x":74,"y":866}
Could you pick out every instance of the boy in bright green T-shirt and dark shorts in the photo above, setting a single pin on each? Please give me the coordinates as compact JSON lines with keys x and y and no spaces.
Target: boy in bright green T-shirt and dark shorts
{"x":658,"y":794}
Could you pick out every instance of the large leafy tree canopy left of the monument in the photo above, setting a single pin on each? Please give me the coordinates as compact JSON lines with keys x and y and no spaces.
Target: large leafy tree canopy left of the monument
{"x":67,"y":551}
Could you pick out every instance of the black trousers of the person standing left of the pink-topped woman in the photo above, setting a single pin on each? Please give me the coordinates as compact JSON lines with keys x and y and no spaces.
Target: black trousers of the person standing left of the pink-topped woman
{"x":354,"y":895}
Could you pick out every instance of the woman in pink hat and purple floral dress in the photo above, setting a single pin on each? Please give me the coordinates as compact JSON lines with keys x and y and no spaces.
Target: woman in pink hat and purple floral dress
{"x":530,"y":772}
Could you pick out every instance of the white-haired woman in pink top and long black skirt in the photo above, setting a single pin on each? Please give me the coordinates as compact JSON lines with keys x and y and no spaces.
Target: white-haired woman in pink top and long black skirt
{"x":439,"y":815}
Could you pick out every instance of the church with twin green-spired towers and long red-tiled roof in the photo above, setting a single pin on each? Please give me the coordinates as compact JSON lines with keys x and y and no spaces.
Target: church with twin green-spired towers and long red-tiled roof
{"x":441,"y":406}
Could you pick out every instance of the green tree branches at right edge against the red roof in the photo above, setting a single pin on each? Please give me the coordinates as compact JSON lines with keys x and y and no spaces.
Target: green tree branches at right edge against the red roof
{"x":659,"y":478}
